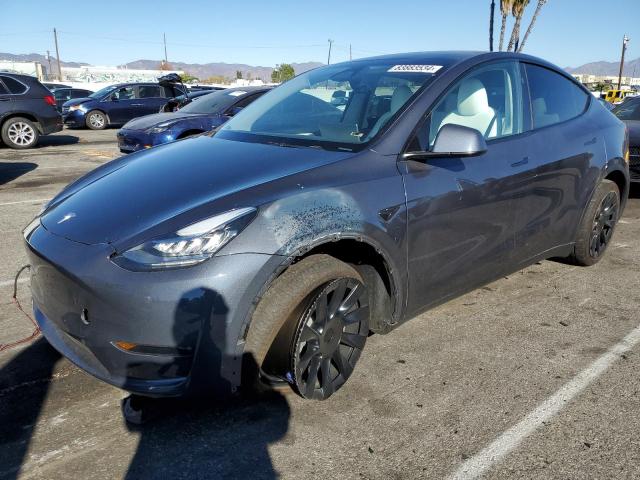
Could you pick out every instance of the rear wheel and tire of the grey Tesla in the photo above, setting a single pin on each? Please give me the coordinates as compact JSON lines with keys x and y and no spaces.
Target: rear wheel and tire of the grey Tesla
{"x":598,"y":224}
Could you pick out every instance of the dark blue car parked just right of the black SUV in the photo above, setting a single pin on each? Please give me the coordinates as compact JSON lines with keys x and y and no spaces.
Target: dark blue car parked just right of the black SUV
{"x":117,"y":104}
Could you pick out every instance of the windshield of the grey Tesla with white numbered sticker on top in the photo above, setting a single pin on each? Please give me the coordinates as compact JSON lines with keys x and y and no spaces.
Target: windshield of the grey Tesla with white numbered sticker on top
{"x":339,"y":106}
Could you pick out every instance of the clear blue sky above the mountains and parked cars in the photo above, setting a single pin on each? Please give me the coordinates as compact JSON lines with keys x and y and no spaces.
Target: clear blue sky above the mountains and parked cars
{"x":568,"y":33}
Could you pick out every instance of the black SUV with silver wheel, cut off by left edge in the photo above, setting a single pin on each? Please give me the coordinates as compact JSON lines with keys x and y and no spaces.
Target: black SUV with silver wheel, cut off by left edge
{"x":27,"y":110}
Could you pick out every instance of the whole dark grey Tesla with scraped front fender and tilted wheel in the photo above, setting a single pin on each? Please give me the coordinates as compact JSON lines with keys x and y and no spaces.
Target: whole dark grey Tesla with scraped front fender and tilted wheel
{"x":268,"y":250}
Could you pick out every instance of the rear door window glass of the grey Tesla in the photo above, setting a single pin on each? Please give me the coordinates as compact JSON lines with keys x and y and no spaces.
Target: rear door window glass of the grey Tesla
{"x":554,"y":98}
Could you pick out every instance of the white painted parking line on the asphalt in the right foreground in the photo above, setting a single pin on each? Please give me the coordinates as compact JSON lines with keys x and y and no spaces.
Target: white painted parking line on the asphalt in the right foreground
{"x":478,"y":464}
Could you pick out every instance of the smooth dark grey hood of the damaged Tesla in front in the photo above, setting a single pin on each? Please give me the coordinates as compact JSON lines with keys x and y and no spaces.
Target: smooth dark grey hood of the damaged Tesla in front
{"x":145,"y":192}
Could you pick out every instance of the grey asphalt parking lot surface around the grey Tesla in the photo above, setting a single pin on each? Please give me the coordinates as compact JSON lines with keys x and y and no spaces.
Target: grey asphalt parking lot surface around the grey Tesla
{"x":532,"y":376}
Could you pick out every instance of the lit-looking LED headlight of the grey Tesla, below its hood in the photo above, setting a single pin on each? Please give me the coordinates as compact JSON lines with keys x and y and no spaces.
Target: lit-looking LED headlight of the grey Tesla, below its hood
{"x":188,"y":246}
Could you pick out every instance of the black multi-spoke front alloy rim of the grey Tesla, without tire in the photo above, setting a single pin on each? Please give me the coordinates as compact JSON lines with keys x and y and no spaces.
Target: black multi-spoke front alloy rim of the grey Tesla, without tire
{"x":329,"y":339}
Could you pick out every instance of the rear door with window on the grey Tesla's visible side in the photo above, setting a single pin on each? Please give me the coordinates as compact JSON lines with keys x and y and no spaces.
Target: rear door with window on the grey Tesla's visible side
{"x":562,"y":145}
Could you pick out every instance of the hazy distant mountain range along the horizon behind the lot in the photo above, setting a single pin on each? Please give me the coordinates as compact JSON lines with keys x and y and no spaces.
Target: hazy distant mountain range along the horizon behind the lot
{"x":206,"y":70}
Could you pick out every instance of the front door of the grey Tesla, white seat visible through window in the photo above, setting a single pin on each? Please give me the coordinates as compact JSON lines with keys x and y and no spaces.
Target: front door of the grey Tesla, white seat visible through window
{"x":461,"y":209}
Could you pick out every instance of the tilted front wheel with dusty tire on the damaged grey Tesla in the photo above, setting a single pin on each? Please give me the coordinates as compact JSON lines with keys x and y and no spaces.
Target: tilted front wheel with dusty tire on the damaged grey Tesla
{"x":278,"y":335}
